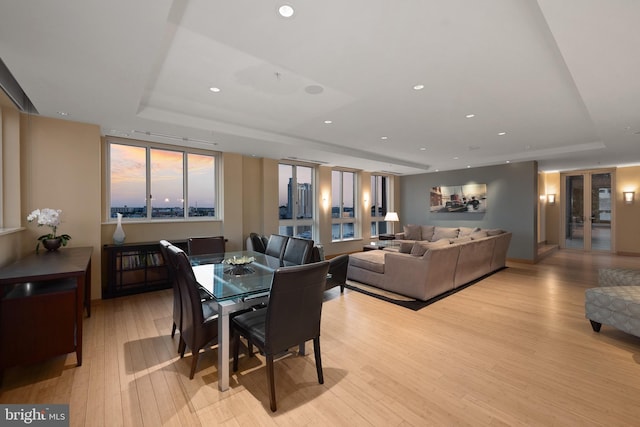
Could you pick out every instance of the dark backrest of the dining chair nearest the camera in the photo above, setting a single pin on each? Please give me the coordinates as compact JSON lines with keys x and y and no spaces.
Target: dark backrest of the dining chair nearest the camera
{"x":295,"y":306}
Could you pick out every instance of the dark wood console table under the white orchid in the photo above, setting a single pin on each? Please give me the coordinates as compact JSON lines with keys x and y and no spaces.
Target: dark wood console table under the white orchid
{"x":42,"y":300}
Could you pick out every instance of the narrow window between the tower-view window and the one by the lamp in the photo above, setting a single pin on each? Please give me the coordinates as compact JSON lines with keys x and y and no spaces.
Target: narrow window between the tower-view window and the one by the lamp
{"x":343,"y":213}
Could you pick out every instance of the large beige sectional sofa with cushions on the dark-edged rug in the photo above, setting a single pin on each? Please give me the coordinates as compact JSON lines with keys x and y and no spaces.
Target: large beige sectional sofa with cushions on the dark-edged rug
{"x":432,"y":260}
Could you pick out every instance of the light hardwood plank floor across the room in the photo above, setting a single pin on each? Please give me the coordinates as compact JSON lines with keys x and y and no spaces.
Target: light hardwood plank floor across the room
{"x":513,"y":349}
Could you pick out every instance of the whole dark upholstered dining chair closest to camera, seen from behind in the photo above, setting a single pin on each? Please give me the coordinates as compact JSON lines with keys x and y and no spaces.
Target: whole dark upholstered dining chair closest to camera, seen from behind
{"x":291,"y":318}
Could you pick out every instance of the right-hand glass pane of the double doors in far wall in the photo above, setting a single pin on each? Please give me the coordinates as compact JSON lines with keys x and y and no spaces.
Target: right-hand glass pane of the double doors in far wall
{"x":601,"y":212}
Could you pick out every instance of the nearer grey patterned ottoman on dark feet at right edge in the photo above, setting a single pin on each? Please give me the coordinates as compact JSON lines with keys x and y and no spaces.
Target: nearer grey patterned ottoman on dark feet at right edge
{"x":617,"y":306}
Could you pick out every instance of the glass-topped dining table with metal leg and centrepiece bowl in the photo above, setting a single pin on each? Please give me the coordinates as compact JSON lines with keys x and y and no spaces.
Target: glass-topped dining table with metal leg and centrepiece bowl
{"x":234,"y":286}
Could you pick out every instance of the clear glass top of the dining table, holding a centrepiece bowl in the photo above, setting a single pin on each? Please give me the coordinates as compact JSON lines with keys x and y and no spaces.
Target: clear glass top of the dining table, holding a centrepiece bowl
{"x":234,"y":275}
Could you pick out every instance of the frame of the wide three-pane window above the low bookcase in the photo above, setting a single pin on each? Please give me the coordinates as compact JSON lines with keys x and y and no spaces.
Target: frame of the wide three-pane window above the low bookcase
{"x":148,"y":146}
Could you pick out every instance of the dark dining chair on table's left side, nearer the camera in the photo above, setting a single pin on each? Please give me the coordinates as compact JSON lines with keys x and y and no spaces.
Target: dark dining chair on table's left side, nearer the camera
{"x":199,"y":319}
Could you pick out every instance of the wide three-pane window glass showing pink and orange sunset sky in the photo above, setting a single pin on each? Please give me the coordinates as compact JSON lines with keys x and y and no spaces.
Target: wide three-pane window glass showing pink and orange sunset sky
{"x":146,"y":181}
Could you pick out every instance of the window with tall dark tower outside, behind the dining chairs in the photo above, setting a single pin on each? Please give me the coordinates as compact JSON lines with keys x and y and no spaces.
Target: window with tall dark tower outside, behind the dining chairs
{"x":296,"y":195}
